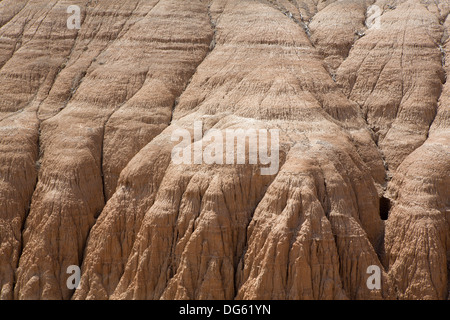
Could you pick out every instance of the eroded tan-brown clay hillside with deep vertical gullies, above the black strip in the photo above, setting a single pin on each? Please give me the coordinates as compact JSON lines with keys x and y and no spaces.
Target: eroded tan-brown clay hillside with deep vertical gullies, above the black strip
{"x":86,"y":177}
